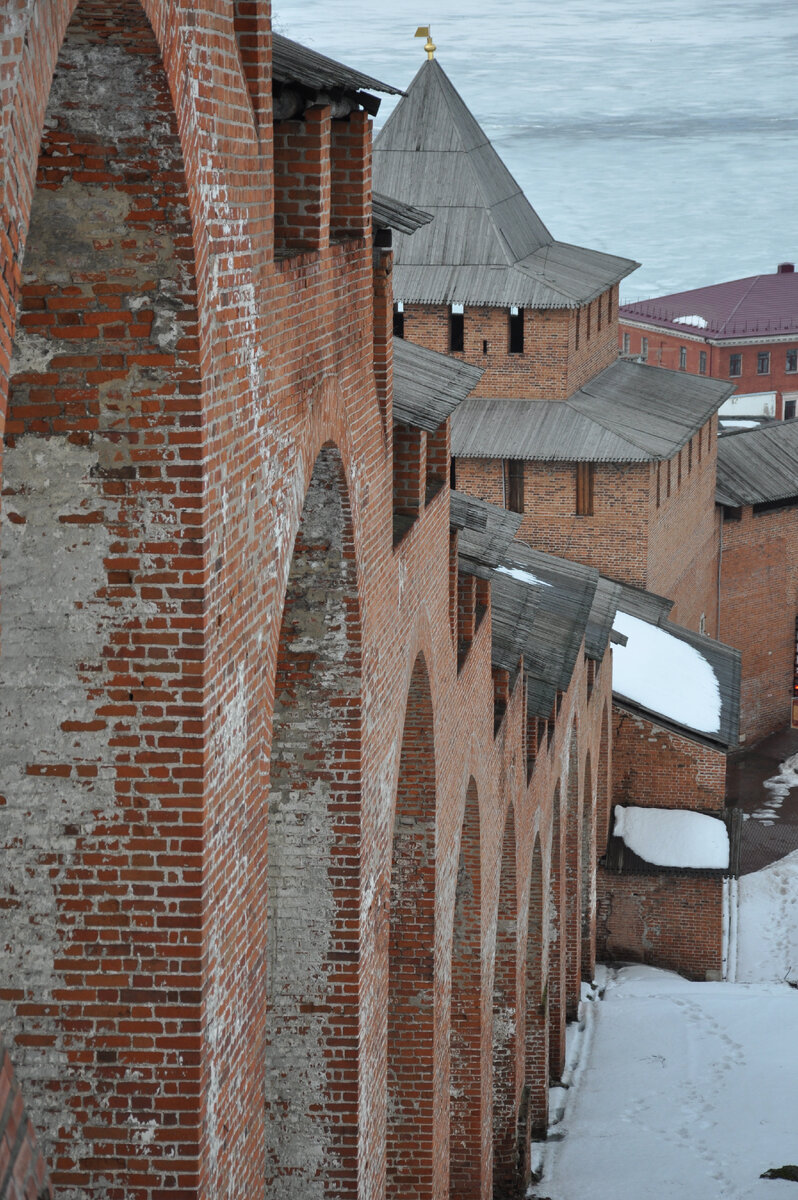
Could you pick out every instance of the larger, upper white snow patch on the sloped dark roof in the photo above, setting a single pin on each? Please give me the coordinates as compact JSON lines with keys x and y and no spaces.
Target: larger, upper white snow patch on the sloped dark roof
{"x":665,"y":675}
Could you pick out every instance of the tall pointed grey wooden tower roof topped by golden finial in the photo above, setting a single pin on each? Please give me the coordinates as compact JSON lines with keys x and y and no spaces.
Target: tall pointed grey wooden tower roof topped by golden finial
{"x":487,"y":244}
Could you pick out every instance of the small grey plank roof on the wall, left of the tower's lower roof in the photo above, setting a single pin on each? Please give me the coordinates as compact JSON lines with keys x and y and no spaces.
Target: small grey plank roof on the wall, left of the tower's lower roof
{"x":428,"y":387}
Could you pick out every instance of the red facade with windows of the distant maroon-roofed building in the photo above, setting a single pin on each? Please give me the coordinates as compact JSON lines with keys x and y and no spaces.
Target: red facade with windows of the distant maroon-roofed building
{"x":664,"y":351}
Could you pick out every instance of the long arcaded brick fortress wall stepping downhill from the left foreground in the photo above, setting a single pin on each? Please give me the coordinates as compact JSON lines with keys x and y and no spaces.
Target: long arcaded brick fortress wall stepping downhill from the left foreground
{"x":212,"y":659}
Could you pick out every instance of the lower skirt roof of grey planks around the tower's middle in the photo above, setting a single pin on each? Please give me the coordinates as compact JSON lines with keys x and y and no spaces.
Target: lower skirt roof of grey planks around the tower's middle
{"x":631,"y":412}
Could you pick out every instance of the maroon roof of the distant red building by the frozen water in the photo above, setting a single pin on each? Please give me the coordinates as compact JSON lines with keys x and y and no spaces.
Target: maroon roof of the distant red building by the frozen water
{"x":752,"y":308}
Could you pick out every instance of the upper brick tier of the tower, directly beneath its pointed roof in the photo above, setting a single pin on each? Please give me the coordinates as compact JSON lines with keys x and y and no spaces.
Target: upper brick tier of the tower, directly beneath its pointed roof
{"x":553,"y":367}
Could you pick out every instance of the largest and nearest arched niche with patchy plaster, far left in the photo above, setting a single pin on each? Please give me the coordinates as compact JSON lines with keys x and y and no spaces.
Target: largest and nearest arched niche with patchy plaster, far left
{"x":101,"y":578}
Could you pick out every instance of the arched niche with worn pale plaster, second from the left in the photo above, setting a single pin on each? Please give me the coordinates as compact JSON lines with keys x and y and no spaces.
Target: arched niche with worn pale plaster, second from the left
{"x":314,"y":883}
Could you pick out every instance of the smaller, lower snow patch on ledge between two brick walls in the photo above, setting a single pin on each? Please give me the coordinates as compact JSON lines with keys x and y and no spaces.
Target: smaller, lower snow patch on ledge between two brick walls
{"x":674,"y":838}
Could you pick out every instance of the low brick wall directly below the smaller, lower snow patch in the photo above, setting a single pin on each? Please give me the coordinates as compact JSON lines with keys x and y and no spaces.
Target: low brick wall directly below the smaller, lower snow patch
{"x":665,"y":921}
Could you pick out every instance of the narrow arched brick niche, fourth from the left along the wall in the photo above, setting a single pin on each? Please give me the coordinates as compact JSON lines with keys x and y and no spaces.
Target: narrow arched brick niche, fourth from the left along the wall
{"x":466,"y":1030}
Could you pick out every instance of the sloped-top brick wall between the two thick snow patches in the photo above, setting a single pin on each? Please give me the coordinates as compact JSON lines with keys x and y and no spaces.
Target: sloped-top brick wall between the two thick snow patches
{"x":657,"y":767}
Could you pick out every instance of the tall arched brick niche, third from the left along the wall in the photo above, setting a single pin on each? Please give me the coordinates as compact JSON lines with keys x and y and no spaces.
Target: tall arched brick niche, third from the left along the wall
{"x":411,"y":1009}
